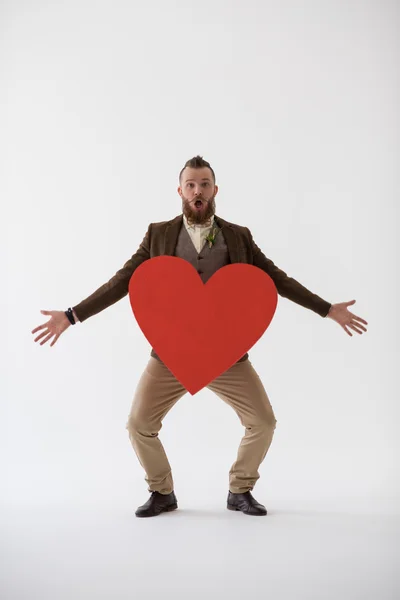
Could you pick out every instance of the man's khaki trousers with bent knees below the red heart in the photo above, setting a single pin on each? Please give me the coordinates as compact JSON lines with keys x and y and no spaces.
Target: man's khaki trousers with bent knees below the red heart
{"x":240,"y":387}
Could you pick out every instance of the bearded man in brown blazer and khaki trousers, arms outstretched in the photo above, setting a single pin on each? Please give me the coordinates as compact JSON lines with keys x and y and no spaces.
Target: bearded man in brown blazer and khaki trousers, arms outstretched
{"x":158,"y":390}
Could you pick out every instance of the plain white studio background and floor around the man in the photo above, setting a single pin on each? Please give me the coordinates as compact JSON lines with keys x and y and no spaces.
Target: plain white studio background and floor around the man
{"x":295,"y":105}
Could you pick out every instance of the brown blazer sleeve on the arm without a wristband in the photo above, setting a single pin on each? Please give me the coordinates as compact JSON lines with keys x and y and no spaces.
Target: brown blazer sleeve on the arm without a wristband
{"x":287,"y":286}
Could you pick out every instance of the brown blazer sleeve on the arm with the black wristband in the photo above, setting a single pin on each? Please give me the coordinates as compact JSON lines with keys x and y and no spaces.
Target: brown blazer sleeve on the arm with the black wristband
{"x":117,"y":287}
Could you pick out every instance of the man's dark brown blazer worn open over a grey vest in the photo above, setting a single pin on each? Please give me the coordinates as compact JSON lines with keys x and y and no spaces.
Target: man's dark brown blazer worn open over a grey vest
{"x":161,"y":239}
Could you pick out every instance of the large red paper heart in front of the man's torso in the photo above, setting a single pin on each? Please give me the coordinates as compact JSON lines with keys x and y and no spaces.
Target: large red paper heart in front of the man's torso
{"x":200,"y":330}
